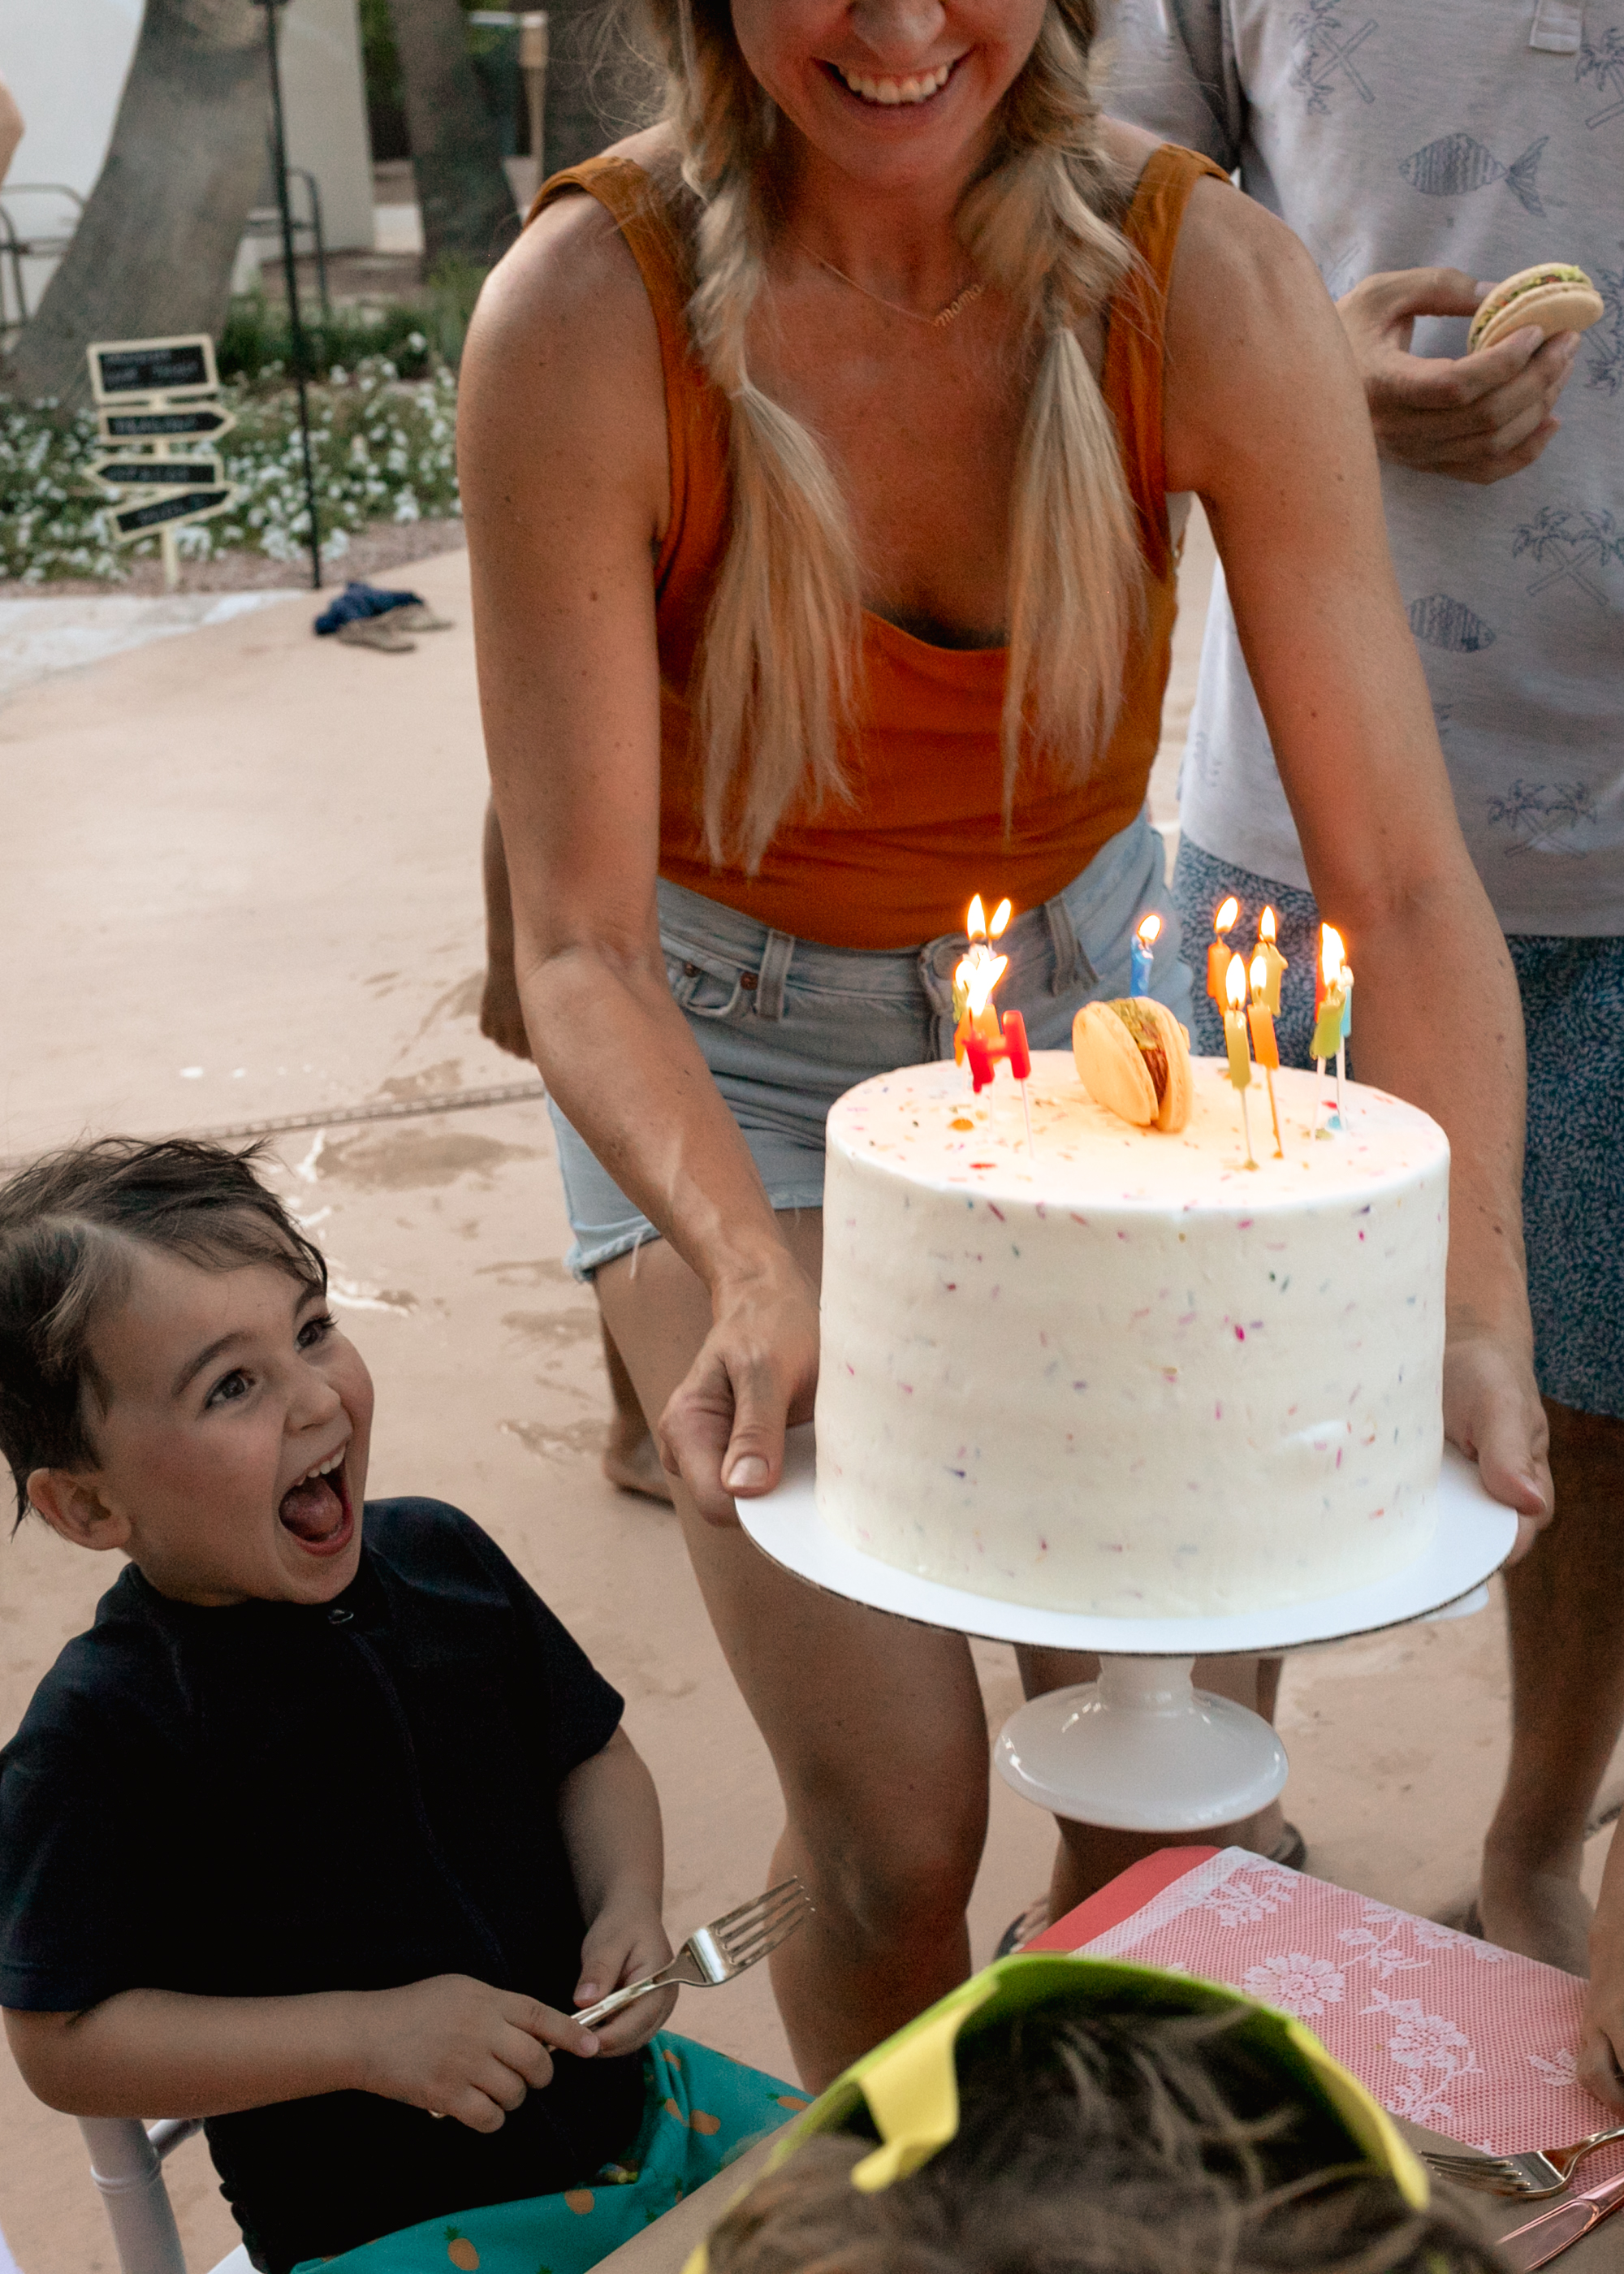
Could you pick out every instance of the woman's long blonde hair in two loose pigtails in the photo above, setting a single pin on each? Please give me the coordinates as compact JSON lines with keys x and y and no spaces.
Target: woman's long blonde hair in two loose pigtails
{"x":784,"y":638}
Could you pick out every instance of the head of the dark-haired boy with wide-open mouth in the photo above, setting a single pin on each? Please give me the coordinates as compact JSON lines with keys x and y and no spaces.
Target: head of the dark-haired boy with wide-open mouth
{"x":172,"y":1381}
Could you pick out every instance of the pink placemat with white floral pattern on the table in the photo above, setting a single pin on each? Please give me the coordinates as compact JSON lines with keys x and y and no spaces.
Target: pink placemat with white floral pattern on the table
{"x":1443,"y":2030}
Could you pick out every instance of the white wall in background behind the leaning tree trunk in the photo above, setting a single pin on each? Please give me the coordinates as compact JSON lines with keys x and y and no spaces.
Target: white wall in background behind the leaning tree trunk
{"x":67,"y":65}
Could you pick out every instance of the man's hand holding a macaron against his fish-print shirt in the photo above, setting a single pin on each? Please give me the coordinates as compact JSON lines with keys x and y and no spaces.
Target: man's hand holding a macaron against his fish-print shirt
{"x":1477,"y":417}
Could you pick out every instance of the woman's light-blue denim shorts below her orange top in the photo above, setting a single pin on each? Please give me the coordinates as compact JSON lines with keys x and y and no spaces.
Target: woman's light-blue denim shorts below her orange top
{"x":788,"y":1024}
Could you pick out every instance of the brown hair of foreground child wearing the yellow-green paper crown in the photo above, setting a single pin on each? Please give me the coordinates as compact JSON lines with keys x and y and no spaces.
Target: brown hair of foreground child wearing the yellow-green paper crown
{"x":1109,"y":2146}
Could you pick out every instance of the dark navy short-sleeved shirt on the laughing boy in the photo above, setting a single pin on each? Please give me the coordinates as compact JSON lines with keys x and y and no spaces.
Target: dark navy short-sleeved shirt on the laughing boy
{"x":274,"y":1800}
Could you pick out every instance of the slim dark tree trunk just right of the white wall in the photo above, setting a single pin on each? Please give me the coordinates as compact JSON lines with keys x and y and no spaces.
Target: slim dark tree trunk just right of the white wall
{"x":456,"y":153}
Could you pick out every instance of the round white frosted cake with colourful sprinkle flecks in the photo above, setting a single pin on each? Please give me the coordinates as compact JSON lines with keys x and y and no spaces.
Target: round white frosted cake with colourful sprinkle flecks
{"x":1122,"y":1372}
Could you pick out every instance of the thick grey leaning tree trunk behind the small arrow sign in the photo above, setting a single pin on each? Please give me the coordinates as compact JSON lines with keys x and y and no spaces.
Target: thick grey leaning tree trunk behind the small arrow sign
{"x":160,"y":233}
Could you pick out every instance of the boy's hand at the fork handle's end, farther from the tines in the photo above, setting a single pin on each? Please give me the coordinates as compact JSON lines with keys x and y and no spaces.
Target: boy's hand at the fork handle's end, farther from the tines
{"x":461,"y":2050}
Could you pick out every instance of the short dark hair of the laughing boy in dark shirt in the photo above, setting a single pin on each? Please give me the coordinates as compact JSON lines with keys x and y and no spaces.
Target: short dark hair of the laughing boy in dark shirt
{"x":67,"y":1234}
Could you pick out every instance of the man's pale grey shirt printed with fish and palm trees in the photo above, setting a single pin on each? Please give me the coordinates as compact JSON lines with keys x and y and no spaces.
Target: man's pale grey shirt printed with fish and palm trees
{"x":1477,"y":138}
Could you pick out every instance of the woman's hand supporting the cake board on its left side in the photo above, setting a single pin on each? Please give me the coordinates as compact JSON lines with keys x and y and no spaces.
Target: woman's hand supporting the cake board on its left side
{"x":756,"y":1375}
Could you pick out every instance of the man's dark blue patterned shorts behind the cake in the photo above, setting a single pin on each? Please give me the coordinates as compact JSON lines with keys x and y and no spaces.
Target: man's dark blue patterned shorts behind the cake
{"x":1573,"y":1181}
